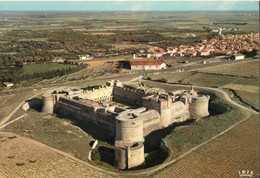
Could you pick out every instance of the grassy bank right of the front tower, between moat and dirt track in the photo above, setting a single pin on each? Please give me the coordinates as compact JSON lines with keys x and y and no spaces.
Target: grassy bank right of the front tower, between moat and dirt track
{"x":184,"y":138}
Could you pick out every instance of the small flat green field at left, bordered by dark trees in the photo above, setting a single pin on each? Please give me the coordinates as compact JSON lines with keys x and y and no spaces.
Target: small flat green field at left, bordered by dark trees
{"x":32,"y":68}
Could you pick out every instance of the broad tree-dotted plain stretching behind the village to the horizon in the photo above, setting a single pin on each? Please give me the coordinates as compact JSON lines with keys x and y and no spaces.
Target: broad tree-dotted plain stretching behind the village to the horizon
{"x":41,"y":37}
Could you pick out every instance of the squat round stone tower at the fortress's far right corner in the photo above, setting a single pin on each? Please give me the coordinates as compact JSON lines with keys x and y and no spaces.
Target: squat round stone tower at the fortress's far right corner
{"x":199,"y":106}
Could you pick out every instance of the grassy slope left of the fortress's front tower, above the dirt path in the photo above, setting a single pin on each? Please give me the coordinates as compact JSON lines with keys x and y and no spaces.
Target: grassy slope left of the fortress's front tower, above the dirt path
{"x":54,"y":132}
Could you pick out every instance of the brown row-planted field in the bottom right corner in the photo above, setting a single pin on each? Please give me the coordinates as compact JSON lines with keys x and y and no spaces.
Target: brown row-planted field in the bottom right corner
{"x":235,"y":151}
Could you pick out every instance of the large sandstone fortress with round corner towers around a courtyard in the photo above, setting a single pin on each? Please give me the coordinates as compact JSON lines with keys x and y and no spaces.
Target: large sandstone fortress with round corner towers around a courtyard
{"x":128,"y":113}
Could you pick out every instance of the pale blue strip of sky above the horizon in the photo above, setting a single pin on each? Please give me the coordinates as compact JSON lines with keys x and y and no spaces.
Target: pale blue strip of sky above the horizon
{"x":122,"y":5}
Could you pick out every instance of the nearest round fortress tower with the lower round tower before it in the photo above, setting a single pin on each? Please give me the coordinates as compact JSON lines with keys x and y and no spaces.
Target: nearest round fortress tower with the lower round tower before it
{"x":129,"y":148}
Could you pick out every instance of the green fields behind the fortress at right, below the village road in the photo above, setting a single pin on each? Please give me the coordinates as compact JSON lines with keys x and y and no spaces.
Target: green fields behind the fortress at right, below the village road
{"x":241,"y":78}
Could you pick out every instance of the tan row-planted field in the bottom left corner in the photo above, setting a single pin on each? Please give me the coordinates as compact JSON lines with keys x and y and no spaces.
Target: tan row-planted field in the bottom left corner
{"x":22,"y":157}
